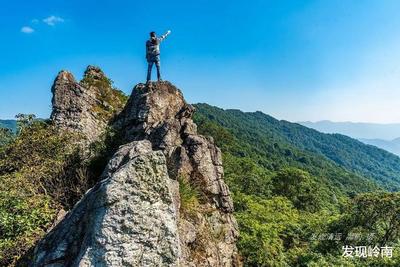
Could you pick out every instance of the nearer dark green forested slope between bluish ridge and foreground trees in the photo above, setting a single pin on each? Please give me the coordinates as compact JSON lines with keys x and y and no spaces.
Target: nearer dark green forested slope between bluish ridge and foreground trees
{"x":250,"y":142}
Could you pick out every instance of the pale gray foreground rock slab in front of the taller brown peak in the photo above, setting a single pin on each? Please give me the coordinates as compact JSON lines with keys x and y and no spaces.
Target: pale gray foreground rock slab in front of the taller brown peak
{"x":128,"y":219}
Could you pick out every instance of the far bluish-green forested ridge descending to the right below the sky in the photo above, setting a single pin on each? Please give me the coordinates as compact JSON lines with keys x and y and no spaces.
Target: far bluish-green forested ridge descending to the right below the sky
{"x":363,"y":160}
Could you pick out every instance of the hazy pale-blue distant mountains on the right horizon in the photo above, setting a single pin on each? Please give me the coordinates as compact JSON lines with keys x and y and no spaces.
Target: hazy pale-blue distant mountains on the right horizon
{"x":385,"y":136}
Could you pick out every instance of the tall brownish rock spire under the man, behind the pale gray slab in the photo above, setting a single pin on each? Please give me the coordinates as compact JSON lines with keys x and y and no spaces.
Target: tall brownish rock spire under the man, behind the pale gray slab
{"x":159,"y":113}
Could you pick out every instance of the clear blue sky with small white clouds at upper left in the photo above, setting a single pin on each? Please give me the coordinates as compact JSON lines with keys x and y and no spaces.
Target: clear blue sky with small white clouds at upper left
{"x":295,"y":60}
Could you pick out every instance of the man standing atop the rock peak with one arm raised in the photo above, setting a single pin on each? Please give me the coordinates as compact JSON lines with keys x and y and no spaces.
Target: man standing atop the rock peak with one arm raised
{"x":153,"y":53}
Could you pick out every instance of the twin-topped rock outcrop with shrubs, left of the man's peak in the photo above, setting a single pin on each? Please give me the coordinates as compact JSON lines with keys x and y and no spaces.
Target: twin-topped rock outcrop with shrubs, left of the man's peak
{"x":85,"y":107}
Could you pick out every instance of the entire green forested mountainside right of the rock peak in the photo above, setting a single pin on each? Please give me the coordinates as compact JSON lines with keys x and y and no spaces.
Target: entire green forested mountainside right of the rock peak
{"x":286,"y":193}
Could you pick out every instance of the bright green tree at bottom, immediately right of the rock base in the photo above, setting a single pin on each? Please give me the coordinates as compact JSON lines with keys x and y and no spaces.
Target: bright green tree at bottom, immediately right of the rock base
{"x":264,"y":224}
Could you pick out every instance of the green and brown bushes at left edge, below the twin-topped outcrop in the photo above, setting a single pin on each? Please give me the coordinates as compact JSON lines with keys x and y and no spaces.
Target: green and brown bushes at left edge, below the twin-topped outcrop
{"x":40,"y":172}
